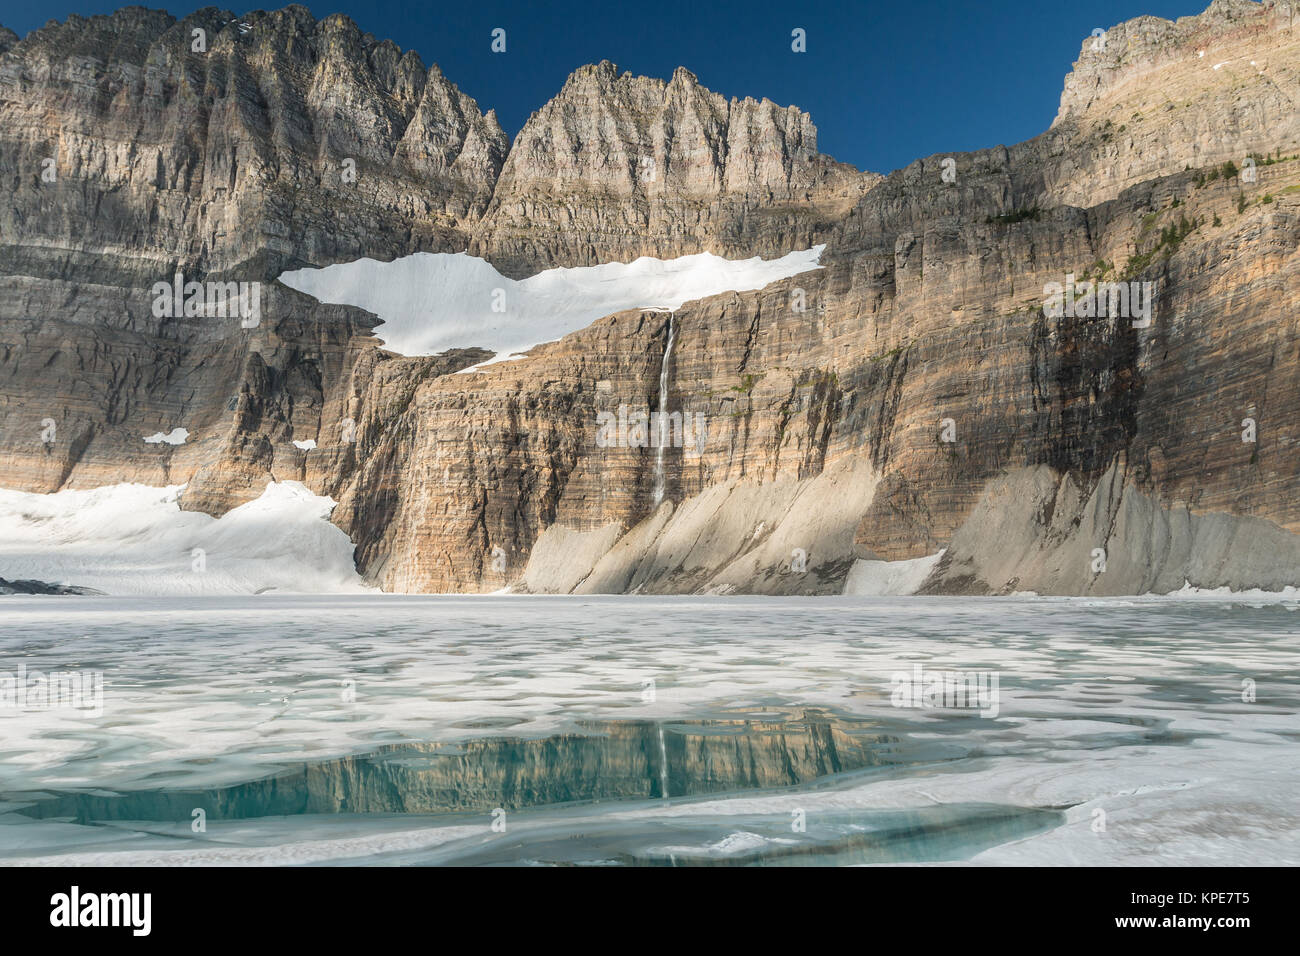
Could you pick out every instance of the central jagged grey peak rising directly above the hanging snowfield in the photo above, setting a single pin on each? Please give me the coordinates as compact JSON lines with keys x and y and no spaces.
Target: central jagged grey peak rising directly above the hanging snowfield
{"x":618,"y":167}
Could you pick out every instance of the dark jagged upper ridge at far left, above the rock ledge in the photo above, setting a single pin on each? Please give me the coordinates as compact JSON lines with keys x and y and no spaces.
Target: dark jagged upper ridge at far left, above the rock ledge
{"x":137,"y":144}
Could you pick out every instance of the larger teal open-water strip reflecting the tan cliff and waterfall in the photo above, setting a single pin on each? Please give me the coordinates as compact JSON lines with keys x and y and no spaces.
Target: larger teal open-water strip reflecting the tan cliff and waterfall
{"x":609,"y":760}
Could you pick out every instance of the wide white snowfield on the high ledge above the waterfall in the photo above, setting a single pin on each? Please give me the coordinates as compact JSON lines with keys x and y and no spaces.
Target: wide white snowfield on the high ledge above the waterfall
{"x":432,"y":302}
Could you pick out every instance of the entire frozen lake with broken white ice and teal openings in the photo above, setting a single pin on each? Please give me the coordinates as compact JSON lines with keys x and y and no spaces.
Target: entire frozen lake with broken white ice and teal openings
{"x":649,"y":730}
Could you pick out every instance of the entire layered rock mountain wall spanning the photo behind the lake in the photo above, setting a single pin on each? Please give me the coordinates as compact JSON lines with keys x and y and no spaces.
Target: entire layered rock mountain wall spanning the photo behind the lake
{"x":911,"y":396}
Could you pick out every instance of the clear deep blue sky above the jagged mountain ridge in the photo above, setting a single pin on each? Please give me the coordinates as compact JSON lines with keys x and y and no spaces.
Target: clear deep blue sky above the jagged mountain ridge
{"x":886,"y":83}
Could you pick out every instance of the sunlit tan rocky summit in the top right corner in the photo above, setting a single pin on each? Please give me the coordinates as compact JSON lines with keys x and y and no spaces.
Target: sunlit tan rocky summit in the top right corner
{"x":1150,"y":97}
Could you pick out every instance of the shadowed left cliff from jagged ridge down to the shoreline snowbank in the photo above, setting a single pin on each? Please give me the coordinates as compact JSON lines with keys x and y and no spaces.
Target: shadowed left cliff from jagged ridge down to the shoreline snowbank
{"x":132,"y":157}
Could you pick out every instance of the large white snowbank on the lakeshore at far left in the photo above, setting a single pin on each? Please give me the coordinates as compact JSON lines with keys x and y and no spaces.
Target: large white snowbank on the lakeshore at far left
{"x":136,"y":540}
